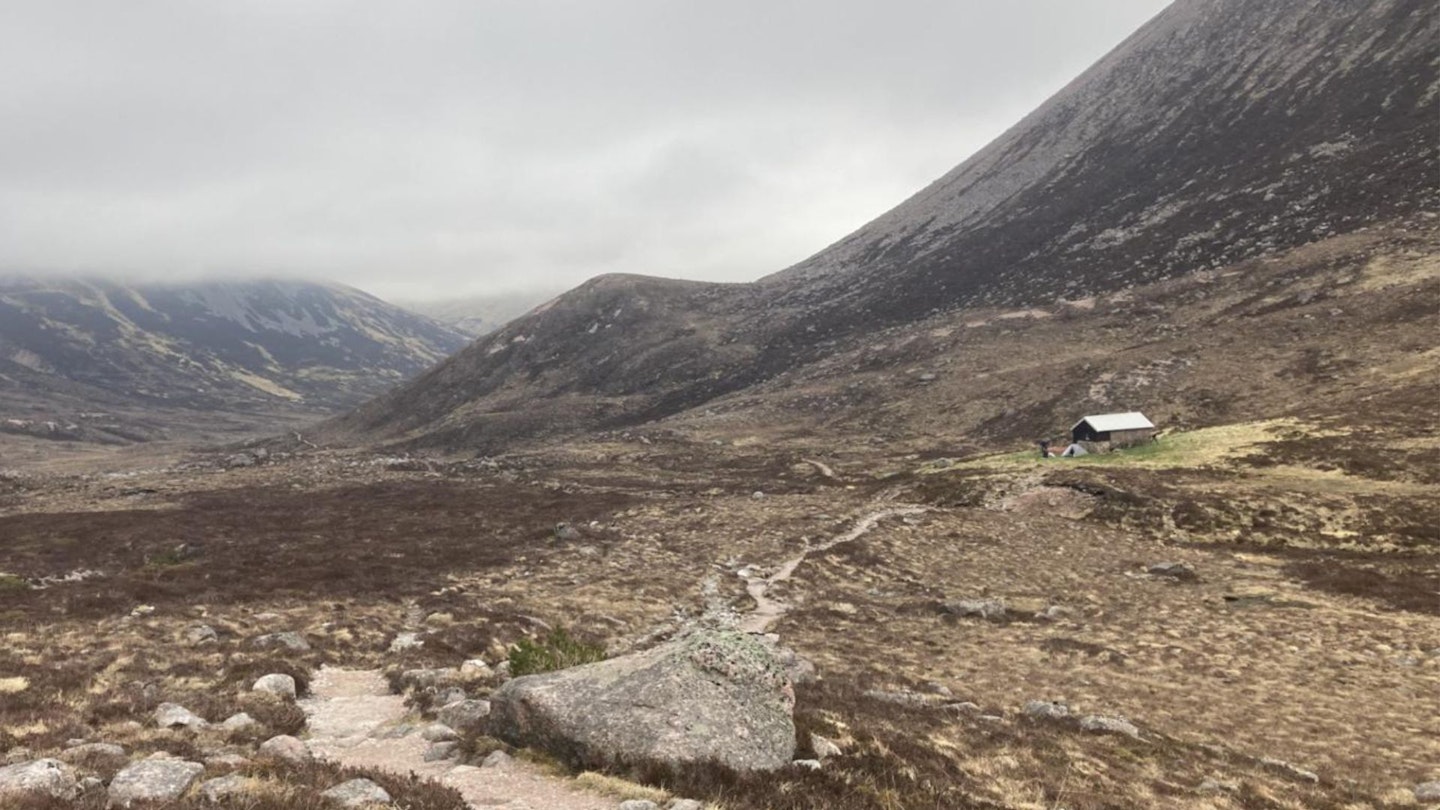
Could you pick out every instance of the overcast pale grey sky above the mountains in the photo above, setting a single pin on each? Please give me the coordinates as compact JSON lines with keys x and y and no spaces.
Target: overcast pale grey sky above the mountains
{"x":463,"y":148}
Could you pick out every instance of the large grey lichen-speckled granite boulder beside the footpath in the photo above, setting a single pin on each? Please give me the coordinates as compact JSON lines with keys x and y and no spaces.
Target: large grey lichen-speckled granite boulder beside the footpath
{"x":709,"y":695}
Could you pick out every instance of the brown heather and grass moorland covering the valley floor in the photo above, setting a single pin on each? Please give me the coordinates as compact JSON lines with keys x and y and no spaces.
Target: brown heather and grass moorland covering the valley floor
{"x":987,"y":631}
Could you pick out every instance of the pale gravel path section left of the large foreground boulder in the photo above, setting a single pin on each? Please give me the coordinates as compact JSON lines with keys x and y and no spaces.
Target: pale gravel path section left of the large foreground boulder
{"x":355,"y":720}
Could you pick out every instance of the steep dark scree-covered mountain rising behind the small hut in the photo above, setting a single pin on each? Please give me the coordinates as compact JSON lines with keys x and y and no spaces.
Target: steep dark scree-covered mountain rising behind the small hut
{"x":1220,"y":136}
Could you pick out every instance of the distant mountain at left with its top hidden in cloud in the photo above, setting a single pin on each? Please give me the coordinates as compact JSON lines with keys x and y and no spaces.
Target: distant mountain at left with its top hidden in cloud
{"x":208,"y":347}
